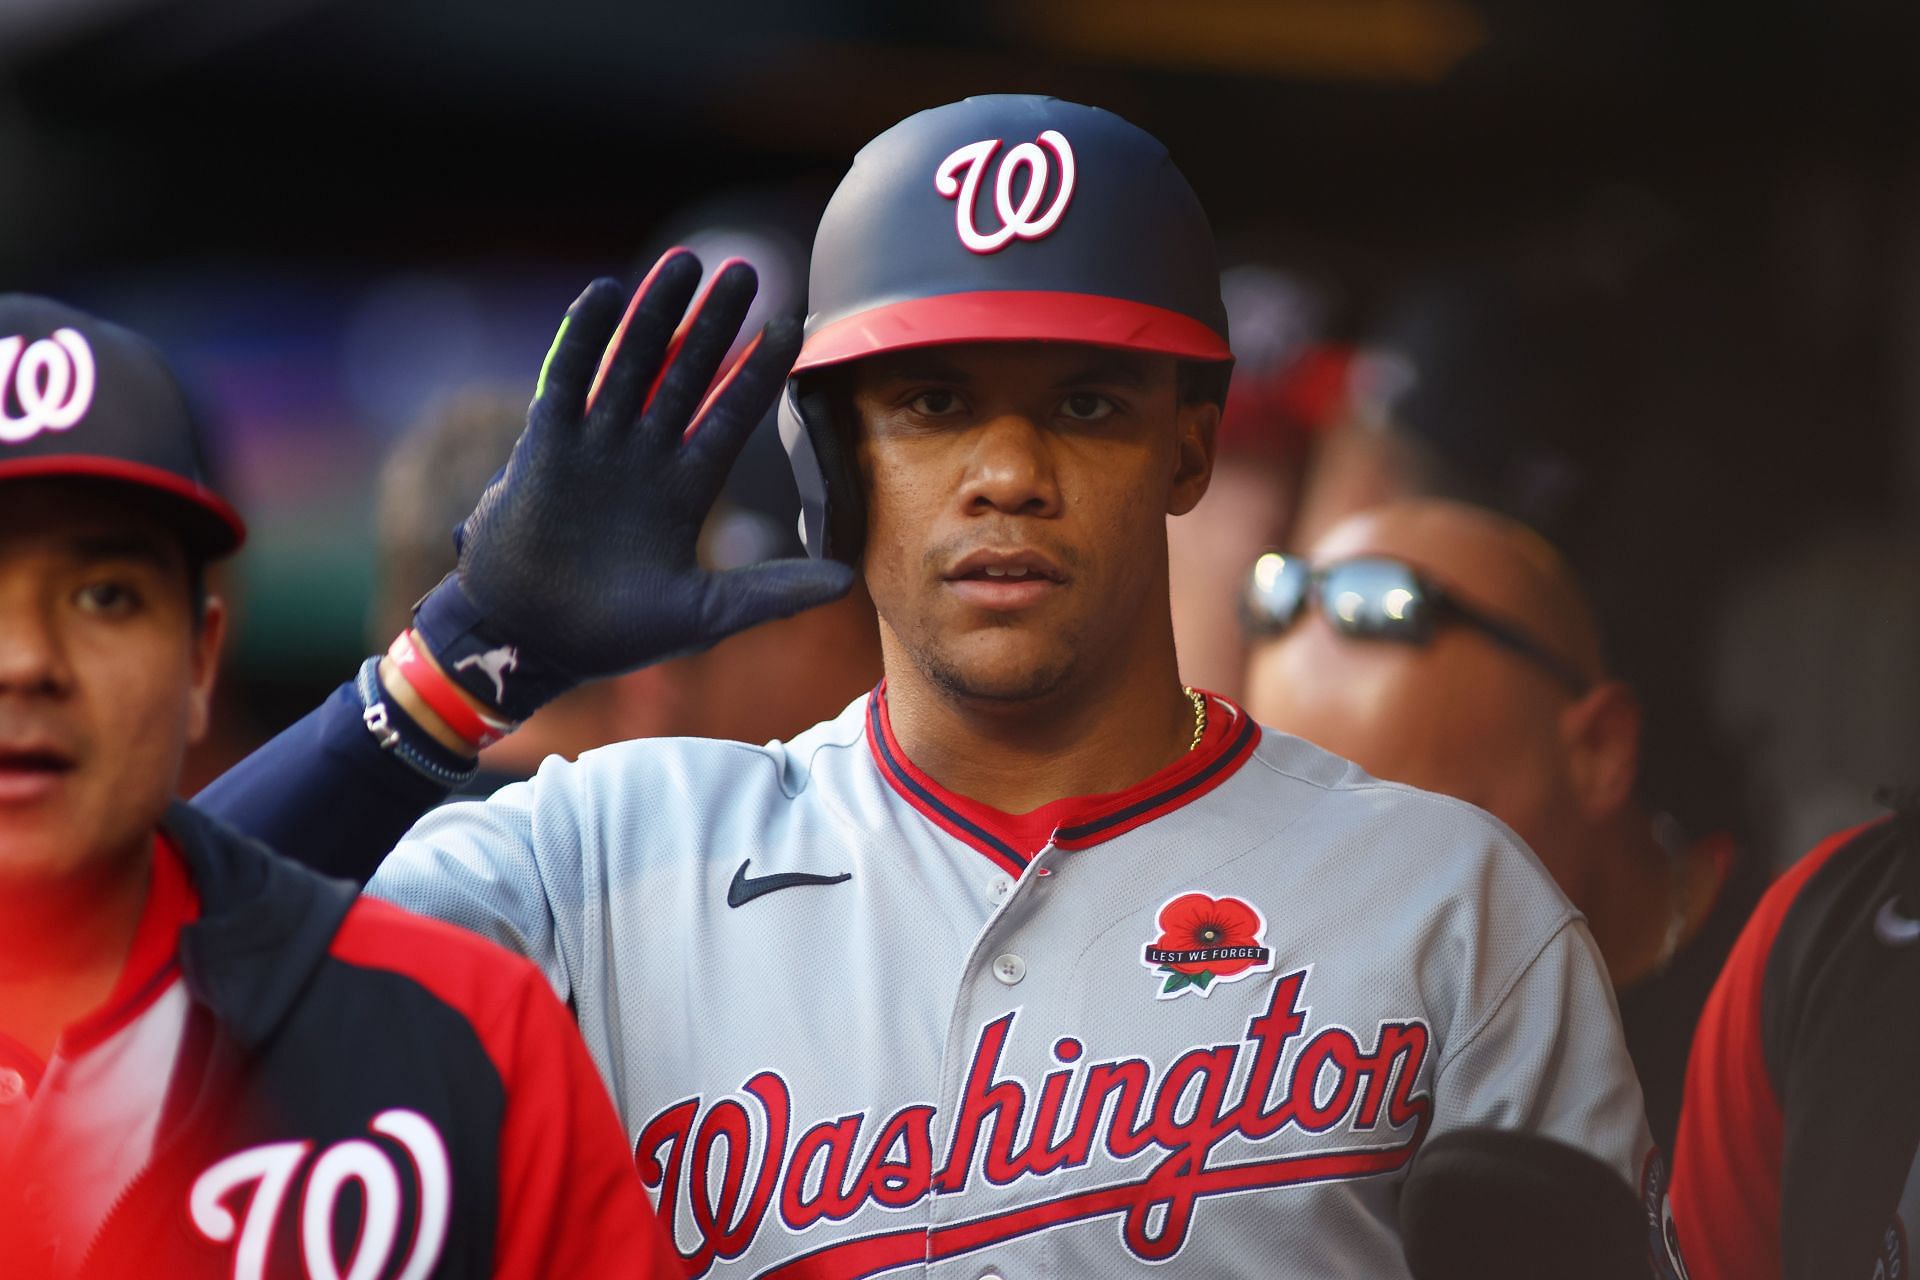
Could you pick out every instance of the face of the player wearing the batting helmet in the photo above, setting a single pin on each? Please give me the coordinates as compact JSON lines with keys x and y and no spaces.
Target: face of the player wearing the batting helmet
{"x":1017,"y":508}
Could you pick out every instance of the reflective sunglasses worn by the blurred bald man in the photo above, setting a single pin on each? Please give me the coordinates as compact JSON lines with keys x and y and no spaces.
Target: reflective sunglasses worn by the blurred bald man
{"x":1378,"y":598}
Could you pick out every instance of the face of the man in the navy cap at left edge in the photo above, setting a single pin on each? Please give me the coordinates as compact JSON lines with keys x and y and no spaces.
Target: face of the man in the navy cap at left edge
{"x":105,"y":678}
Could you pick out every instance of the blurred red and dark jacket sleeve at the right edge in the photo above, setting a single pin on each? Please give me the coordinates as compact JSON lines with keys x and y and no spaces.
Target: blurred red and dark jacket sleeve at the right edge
{"x":1802,"y":1120}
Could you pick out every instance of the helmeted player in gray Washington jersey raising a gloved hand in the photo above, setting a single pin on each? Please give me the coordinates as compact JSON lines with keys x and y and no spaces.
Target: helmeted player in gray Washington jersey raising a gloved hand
{"x":1032,"y":962}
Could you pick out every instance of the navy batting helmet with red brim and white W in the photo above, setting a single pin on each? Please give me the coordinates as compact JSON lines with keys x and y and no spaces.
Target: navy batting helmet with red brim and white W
{"x":1005,"y":218}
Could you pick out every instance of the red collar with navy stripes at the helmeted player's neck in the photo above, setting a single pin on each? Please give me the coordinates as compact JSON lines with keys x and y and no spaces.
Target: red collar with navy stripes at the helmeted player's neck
{"x":1076,"y":822}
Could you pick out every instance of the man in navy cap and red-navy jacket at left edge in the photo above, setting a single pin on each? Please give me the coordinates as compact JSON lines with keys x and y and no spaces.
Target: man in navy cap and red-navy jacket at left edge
{"x":212,"y":1060}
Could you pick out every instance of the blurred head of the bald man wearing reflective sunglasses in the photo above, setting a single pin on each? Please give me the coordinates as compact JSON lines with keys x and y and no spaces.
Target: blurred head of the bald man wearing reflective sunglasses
{"x":1458,"y":715}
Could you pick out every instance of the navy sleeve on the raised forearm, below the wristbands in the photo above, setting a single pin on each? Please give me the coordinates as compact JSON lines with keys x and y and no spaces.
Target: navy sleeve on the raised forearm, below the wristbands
{"x":324,"y":794}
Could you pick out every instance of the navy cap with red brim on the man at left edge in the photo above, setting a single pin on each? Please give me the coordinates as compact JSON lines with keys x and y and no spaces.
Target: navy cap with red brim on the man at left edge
{"x":87,"y":398}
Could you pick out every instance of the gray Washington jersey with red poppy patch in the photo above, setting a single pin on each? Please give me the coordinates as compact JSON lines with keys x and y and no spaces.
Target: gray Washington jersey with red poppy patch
{"x":863,"y":1026}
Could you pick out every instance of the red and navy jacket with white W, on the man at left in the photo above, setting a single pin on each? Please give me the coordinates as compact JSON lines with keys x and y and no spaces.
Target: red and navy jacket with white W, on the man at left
{"x":368,"y":1093}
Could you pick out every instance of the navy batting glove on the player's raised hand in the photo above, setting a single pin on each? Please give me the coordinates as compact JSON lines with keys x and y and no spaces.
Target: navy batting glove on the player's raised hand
{"x":581,"y":557}
